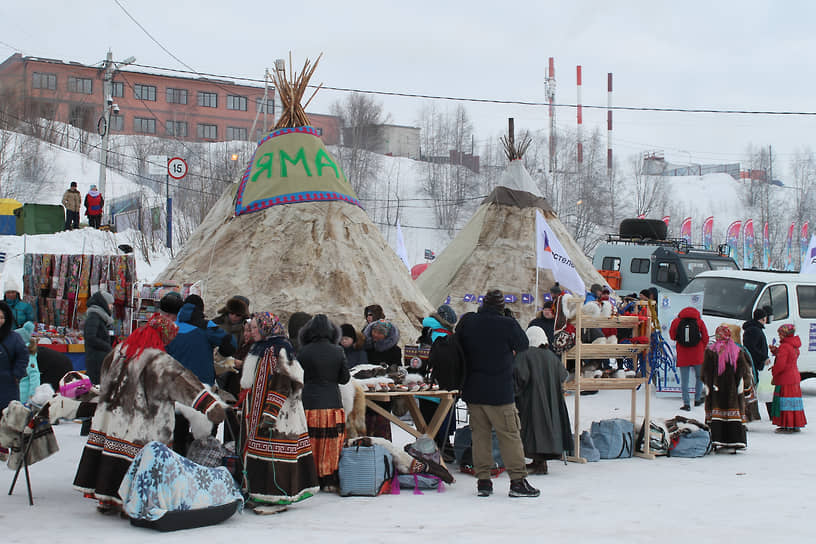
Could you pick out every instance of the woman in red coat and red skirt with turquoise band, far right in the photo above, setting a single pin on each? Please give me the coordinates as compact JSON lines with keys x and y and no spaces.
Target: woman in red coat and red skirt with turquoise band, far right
{"x":787,"y":410}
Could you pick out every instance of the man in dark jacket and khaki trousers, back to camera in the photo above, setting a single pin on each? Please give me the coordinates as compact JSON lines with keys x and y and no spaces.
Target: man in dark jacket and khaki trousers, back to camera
{"x":489,"y":342}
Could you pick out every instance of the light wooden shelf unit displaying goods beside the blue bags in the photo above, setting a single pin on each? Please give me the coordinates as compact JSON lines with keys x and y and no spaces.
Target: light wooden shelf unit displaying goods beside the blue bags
{"x":583,"y":351}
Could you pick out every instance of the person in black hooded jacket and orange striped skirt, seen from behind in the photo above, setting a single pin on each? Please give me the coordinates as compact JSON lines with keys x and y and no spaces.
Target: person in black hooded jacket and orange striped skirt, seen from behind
{"x":324,"y":368}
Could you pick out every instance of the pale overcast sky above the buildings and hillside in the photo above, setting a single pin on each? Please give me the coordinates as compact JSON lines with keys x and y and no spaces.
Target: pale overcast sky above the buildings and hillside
{"x":746,"y":55}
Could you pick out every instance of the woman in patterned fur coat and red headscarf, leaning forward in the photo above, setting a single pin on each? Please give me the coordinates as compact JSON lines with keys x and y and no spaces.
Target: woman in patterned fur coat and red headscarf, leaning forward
{"x":140,"y":385}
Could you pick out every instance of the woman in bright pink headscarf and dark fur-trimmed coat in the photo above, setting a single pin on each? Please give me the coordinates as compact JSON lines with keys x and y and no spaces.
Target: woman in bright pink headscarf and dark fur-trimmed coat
{"x":725,"y":373}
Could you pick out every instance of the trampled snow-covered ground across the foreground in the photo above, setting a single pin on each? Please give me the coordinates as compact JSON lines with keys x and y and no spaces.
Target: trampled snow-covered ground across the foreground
{"x":759,"y":495}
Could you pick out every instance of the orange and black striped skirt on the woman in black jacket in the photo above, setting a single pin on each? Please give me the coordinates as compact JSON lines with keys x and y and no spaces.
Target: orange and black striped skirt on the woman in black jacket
{"x":327,"y":431}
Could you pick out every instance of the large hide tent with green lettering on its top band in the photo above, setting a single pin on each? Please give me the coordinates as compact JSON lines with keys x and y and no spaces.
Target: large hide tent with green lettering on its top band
{"x":291,"y":236}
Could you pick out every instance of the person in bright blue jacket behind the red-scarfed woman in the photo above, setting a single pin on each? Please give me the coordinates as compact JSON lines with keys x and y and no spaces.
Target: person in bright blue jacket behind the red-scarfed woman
{"x":193,"y":347}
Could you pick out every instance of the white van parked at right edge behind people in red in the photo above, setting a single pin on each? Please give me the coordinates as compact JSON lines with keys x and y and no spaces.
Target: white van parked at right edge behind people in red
{"x":731,"y":296}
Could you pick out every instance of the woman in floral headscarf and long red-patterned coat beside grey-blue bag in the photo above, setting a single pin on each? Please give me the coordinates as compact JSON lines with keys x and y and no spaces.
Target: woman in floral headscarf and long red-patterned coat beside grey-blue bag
{"x":277,"y":453}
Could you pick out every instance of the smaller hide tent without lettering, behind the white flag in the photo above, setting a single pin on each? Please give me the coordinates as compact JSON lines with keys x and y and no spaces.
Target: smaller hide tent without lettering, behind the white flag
{"x":496,"y":250}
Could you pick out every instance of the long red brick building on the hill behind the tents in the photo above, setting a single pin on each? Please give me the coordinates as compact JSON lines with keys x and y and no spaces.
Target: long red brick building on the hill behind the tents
{"x":194,"y":109}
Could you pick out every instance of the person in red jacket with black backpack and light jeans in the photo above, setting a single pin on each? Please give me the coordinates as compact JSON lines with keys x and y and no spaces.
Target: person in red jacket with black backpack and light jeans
{"x":691,"y":335}
